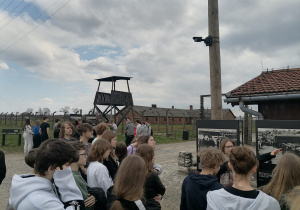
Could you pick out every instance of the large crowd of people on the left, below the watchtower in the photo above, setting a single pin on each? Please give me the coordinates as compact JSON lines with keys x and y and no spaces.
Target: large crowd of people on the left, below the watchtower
{"x":85,"y":168}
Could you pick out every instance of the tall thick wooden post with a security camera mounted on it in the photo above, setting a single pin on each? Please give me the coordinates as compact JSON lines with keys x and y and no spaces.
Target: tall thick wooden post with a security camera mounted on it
{"x":215,"y":61}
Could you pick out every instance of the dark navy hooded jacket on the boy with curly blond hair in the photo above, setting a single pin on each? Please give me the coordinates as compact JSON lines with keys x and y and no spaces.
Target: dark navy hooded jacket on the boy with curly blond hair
{"x":194,"y":189}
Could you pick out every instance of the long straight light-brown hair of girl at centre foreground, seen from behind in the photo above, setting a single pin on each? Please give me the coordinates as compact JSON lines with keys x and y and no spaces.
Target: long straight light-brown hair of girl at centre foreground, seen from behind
{"x":129,"y":181}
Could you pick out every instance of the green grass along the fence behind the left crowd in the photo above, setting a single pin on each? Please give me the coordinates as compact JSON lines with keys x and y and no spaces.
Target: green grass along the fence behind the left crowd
{"x":11,"y":141}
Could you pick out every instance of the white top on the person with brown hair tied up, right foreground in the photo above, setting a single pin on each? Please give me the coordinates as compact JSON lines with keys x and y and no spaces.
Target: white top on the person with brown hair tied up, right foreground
{"x":222,"y":199}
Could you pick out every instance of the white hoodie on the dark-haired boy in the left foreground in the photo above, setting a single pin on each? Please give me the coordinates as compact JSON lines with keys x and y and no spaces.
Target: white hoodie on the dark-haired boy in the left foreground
{"x":32,"y":192}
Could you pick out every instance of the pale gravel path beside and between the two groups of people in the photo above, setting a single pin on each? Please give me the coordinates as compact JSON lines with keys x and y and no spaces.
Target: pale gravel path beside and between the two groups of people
{"x":166,"y":155}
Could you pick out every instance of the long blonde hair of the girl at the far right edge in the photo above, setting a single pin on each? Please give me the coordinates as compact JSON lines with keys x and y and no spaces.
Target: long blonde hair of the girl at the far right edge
{"x":286,"y":175}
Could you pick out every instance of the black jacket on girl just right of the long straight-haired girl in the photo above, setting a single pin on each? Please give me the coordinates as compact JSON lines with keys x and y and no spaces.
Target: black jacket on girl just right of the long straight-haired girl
{"x":153,"y":187}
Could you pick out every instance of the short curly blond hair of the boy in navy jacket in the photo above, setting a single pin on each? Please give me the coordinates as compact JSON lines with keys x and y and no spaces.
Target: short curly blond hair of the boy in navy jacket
{"x":210,"y":157}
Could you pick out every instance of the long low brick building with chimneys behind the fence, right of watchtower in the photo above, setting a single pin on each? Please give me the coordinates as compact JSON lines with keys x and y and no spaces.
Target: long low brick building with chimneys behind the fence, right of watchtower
{"x":155,"y":115}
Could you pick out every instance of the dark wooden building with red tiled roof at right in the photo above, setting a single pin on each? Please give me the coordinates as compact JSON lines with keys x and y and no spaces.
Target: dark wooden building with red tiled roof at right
{"x":277,"y":94}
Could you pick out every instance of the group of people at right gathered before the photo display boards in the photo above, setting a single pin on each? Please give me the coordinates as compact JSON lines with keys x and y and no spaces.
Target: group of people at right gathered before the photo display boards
{"x":225,"y":181}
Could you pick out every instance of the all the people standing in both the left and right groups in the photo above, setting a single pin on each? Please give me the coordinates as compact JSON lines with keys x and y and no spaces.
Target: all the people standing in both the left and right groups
{"x":85,"y":167}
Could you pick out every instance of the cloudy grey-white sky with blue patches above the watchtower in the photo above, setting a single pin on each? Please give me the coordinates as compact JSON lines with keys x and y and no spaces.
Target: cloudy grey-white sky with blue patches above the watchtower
{"x":51,"y":52}
